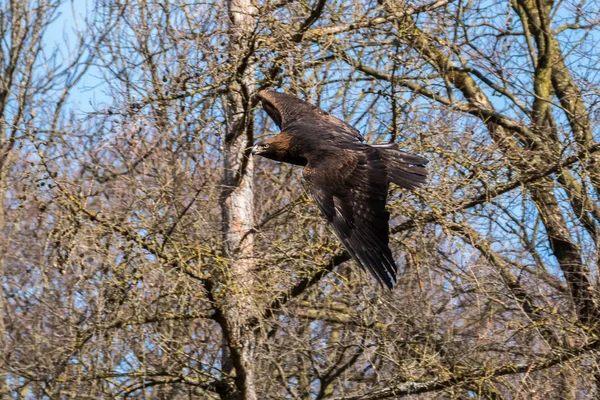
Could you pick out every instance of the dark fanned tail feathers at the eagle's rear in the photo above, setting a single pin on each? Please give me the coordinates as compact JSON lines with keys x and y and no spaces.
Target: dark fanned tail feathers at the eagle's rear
{"x":404,"y":169}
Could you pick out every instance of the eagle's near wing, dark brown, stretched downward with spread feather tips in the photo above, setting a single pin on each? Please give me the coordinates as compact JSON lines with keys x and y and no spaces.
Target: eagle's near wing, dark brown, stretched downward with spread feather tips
{"x":350,"y":188}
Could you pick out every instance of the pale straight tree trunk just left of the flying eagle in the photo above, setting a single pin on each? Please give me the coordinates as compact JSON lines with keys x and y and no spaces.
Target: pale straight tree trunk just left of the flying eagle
{"x":237,"y":205}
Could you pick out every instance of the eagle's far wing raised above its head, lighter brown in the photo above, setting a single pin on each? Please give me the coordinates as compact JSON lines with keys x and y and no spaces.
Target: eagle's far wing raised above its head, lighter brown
{"x":290,"y":112}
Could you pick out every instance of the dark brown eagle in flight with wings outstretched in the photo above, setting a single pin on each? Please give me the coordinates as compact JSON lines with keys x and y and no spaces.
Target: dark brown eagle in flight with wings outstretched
{"x":348,"y":179}
